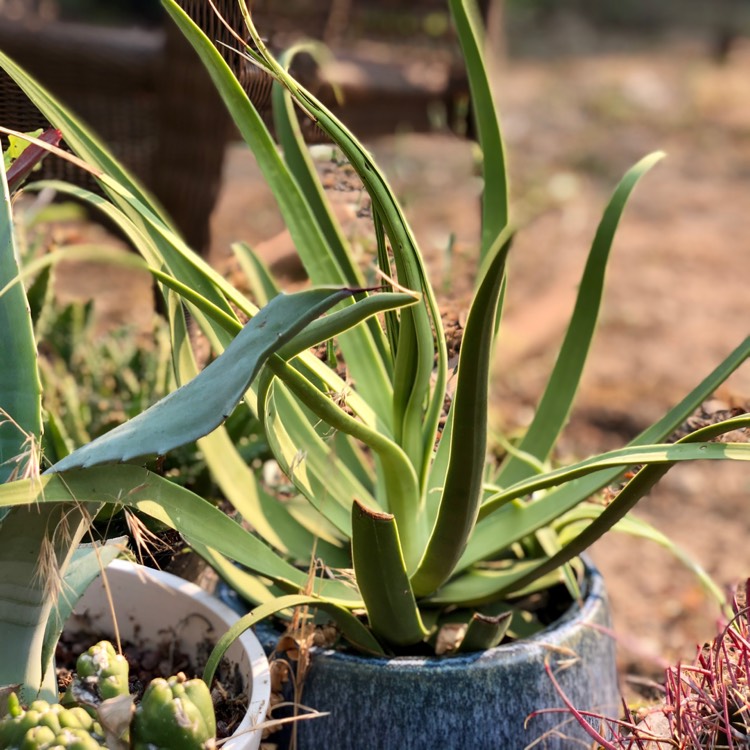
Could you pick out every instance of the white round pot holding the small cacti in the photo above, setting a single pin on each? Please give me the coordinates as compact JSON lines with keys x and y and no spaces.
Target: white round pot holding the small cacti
{"x":151,"y":605}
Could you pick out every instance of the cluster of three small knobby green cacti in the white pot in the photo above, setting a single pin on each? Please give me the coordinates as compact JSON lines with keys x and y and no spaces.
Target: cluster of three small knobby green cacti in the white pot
{"x":174,"y":714}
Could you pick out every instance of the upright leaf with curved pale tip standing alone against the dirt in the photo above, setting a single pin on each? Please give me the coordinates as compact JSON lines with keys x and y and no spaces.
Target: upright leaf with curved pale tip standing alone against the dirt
{"x":554,"y":408}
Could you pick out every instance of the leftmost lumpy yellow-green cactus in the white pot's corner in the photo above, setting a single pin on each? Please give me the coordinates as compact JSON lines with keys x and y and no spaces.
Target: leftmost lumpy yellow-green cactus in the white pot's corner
{"x":47,"y":726}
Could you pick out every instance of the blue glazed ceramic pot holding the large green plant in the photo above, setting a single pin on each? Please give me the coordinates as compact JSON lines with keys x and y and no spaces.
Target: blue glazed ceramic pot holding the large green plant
{"x":476,"y":701}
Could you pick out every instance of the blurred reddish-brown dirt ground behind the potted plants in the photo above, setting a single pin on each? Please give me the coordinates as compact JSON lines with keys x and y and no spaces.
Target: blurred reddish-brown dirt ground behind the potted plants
{"x":676,"y":301}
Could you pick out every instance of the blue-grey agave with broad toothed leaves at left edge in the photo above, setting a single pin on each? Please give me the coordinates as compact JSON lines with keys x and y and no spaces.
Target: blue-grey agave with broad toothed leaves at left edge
{"x":43,"y":564}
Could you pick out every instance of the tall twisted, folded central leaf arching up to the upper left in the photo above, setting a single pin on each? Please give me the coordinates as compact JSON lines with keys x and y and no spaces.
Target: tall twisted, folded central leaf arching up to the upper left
{"x":417,"y":405}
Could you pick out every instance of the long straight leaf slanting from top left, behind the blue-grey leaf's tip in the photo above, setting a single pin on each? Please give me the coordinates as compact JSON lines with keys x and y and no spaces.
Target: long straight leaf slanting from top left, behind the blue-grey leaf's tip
{"x":298,"y":218}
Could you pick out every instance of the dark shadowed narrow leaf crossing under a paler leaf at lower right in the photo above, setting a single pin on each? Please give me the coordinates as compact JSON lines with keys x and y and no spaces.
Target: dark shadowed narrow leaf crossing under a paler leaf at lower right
{"x":634,"y":490}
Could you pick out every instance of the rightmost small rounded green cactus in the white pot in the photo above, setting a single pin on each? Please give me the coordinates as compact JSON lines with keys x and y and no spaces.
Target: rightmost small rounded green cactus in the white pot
{"x":174,"y":714}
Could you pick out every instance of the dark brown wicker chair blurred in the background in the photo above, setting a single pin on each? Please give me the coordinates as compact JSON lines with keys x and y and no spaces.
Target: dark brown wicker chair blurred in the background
{"x":147,"y":95}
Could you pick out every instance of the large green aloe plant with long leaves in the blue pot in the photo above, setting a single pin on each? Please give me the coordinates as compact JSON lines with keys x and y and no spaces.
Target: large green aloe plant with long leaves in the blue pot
{"x":424,"y":521}
